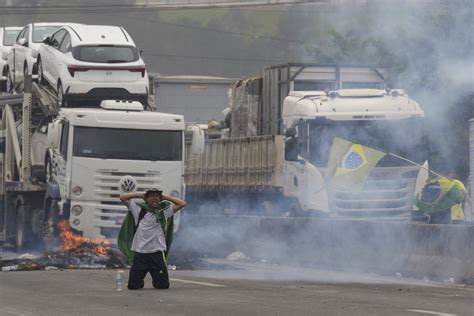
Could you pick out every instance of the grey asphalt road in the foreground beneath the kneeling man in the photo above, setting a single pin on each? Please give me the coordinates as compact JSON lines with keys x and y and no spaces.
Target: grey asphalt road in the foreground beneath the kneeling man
{"x":236,"y":288}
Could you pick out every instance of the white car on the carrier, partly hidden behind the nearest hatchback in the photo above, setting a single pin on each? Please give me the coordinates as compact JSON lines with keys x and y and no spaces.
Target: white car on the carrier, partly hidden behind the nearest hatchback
{"x":22,"y":59}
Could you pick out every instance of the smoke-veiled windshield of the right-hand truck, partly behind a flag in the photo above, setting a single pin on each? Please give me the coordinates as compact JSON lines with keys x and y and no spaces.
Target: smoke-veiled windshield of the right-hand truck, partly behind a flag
{"x":400,"y":137}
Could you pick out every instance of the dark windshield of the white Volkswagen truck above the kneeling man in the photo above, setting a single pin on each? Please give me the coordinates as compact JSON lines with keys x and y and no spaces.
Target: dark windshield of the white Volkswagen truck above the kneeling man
{"x":130,"y":144}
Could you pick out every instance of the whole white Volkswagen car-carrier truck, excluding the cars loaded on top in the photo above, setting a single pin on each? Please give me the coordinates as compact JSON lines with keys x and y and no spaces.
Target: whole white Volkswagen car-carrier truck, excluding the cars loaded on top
{"x":72,"y":163}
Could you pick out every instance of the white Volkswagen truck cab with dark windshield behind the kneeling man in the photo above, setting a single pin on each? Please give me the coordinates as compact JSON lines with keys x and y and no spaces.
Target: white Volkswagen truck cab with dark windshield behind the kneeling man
{"x":95,"y":154}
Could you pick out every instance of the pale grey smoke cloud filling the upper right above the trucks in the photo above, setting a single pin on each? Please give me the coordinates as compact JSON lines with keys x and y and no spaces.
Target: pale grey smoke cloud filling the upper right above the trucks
{"x":427,"y":46}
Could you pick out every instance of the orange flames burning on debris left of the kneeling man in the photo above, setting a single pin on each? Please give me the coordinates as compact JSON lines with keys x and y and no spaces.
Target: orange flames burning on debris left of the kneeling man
{"x":73,"y":242}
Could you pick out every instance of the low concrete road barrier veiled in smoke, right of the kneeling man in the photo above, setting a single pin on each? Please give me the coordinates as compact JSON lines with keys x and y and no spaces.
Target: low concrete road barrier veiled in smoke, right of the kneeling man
{"x":391,"y":248}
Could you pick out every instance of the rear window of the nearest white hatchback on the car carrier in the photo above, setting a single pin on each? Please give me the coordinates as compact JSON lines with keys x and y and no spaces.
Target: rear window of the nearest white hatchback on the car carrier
{"x":106,"y":54}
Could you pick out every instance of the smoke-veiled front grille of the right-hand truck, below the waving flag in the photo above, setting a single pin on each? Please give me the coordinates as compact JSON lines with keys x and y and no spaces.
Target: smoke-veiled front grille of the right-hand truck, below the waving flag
{"x":387,"y":190}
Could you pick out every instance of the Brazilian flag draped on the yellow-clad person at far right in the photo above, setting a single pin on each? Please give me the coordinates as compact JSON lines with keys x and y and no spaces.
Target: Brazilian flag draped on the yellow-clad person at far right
{"x":438,"y":194}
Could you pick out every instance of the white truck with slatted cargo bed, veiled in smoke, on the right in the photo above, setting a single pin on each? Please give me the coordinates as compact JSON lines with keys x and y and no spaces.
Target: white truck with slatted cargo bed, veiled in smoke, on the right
{"x":273,"y":159}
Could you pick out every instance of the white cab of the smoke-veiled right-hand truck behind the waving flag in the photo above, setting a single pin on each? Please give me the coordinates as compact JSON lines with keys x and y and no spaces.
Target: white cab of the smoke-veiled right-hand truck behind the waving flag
{"x":383,"y":119}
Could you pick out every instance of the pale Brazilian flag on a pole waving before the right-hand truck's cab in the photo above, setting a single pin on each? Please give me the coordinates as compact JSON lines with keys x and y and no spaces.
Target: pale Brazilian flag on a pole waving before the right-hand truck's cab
{"x":350,"y":164}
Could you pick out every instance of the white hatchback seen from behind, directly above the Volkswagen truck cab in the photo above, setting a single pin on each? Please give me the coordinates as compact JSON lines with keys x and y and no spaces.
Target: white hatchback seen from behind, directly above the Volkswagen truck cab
{"x":93,"y":63}
